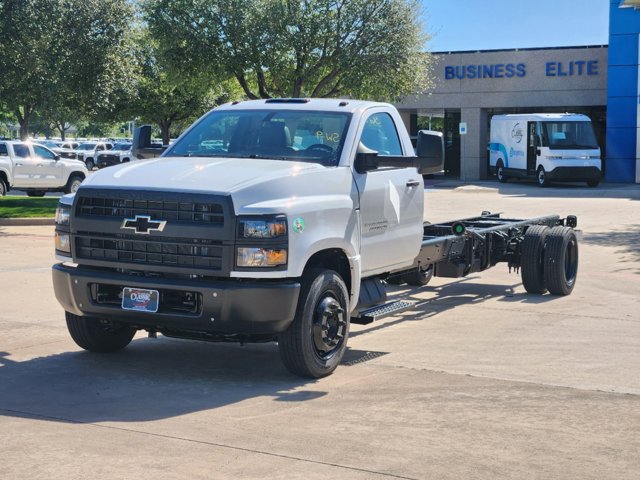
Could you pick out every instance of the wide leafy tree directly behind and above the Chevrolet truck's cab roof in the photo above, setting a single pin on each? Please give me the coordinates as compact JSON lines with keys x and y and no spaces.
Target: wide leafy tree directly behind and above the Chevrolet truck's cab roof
{"x":286,"y":48}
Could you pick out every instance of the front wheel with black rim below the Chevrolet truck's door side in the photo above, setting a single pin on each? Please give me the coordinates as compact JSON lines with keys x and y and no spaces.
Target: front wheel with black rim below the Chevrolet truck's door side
{"x":306,"y":348}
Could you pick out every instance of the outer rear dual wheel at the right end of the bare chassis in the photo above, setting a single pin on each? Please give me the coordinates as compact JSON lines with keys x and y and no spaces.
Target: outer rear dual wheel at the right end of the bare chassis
{"x":561,"y":260}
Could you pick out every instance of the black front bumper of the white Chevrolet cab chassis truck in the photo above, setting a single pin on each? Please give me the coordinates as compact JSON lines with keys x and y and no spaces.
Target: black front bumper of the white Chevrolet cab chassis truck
{"x":227,"y":307}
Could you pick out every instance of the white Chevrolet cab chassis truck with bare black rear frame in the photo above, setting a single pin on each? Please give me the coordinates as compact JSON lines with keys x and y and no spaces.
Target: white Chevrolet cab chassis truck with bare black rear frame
{"x":277,"y":220}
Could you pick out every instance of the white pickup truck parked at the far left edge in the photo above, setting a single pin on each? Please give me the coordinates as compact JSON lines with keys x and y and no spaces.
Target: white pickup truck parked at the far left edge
{"x":36,"y":169}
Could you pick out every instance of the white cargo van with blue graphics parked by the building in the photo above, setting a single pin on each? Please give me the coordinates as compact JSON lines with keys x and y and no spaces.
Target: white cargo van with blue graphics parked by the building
{"x":546,"y":146}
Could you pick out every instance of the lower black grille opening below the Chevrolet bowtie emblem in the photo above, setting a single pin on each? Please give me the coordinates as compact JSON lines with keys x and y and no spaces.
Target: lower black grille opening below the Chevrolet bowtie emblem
{"x":174,"y":252}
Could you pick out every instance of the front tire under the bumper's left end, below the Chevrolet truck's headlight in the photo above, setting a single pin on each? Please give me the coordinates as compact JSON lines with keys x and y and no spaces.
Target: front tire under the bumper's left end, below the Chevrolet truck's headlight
{"x":92,"y":335}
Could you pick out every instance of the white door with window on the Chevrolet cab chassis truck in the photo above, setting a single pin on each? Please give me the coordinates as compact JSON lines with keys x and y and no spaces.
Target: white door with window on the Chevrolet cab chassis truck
{"x":391,"y":200}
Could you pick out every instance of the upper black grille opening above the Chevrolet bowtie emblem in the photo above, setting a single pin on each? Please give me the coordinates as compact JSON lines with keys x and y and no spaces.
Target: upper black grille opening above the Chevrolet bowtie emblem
{"x":195,"y":212}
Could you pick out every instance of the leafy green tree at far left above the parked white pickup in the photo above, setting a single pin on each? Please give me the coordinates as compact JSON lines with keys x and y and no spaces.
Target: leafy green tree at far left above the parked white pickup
{"x":61,"y":57}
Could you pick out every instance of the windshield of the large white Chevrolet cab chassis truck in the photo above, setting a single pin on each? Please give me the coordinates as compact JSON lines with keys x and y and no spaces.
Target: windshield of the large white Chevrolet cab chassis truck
{"x":277,"y":134}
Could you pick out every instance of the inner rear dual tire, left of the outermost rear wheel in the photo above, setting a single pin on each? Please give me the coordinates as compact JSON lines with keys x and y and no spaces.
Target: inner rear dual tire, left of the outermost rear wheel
{"x":532,"y":259}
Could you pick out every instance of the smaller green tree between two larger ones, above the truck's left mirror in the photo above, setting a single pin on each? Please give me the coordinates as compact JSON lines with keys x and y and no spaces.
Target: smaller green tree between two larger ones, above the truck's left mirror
{"x":172,"y":99}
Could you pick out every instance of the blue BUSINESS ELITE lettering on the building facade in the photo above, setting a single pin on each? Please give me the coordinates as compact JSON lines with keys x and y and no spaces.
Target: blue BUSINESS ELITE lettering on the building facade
{"x":574,"y":68}
